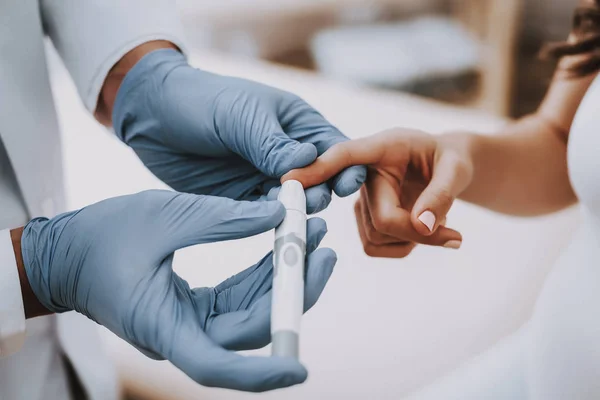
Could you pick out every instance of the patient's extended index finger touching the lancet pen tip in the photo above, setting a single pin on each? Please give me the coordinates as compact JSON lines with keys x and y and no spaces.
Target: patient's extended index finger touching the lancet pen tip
{"x":363,"y":151}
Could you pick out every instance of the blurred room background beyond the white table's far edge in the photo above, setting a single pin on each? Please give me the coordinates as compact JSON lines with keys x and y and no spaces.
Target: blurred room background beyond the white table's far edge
{"x":481,"y":53}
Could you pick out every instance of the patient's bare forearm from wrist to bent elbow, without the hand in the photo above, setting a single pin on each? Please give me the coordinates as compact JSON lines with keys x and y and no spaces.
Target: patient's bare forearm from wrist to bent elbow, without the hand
{"x":522,"y":171}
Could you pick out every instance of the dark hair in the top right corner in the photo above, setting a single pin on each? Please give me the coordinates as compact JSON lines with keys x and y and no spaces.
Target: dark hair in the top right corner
{"x":585,"y":41}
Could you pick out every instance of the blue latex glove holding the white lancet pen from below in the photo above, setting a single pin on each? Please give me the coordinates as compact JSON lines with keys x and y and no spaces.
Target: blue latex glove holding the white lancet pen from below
{"x":112,"y":262}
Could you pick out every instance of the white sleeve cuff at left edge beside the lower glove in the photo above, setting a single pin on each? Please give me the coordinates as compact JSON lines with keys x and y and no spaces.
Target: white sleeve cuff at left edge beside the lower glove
{"x":12,"y":313}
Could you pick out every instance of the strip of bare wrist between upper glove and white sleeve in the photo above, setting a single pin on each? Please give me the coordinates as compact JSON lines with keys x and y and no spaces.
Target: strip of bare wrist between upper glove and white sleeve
{"x":109,"y":90}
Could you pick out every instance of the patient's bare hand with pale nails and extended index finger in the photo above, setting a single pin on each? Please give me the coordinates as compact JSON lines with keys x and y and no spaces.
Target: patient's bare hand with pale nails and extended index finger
{"x":412,"y":182}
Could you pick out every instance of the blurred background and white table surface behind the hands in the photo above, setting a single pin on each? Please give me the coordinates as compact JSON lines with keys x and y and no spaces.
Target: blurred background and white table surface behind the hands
{"x":383,"y":328}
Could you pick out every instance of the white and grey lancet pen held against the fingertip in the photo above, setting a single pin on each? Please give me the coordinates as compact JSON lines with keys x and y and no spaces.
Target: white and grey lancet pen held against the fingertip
{"x":289,"y":253}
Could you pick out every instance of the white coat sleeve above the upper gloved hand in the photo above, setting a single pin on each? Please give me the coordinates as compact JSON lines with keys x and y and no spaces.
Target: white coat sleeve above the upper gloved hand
{"x":91,"y":36}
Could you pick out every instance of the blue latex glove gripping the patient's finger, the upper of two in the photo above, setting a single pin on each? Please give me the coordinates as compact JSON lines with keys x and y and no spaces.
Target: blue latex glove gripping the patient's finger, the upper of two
{"x":210,"y":134}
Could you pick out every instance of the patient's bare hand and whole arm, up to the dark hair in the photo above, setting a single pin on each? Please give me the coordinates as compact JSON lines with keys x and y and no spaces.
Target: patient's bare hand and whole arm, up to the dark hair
{"x":415,"y":177}
